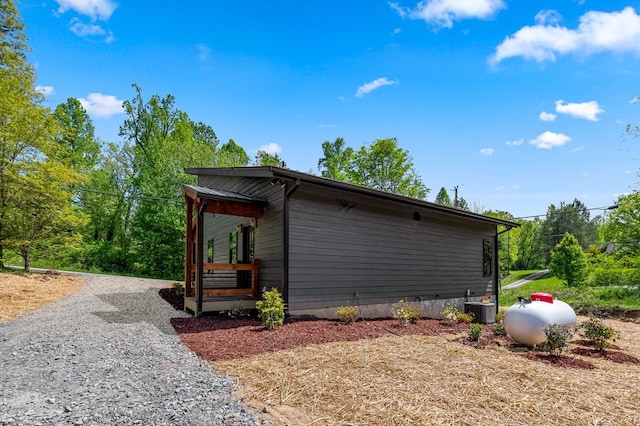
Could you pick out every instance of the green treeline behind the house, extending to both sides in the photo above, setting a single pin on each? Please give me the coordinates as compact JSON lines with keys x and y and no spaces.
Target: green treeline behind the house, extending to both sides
{"x":70,"y":200}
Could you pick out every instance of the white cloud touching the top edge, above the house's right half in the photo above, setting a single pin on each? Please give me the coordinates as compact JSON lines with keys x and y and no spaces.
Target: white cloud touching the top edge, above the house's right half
{"x":442,"y":13}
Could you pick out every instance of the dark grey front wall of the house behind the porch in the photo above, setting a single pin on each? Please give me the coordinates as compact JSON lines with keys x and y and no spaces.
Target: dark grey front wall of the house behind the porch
{"x":269,"y":228}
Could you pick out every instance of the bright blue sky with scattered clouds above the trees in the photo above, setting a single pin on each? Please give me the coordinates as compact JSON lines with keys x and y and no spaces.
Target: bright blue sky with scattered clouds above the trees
{"x":520,"y":104}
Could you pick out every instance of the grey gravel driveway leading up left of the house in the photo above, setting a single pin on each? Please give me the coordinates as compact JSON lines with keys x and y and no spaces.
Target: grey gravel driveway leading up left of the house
{"x":109,"y":356}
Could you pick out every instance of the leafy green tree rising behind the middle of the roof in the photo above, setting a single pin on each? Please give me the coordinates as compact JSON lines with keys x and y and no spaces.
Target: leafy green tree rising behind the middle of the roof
{"x":383,"y":165}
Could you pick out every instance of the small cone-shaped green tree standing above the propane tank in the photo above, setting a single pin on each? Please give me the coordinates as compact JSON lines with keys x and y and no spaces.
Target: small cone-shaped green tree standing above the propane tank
{"x":568,"y":261}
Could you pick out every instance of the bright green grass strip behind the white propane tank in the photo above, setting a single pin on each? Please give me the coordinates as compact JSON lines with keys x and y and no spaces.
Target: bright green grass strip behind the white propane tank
{"x":584,"y":300}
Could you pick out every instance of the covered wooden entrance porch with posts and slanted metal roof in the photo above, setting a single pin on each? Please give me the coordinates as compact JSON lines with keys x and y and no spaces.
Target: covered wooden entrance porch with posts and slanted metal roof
{"x":212,"y":285}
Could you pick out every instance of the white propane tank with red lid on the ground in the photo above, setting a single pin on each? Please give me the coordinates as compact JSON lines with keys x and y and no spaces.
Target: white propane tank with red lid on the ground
{"x":525,"y":321}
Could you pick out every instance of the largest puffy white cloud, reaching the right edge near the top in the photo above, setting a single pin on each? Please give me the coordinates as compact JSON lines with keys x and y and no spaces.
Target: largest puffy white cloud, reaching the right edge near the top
{"x":597,"y":32}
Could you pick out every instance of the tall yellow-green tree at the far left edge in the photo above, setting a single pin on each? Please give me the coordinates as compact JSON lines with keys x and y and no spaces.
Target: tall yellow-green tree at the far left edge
{"x":30,"y":199}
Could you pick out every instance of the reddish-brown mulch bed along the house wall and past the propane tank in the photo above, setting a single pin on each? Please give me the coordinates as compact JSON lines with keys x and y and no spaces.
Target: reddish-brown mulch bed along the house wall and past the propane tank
{"x":220,"y":337}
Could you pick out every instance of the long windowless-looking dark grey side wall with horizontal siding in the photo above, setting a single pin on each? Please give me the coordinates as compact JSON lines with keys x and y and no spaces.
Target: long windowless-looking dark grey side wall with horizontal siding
{"x":342,"y":245}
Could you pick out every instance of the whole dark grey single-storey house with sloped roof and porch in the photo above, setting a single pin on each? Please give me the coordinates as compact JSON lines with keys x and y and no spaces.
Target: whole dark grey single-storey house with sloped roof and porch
{"x":325,"y":243}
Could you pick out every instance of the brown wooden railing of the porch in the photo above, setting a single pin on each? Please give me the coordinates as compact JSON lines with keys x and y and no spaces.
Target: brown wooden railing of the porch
{"x":253,"y":267}
